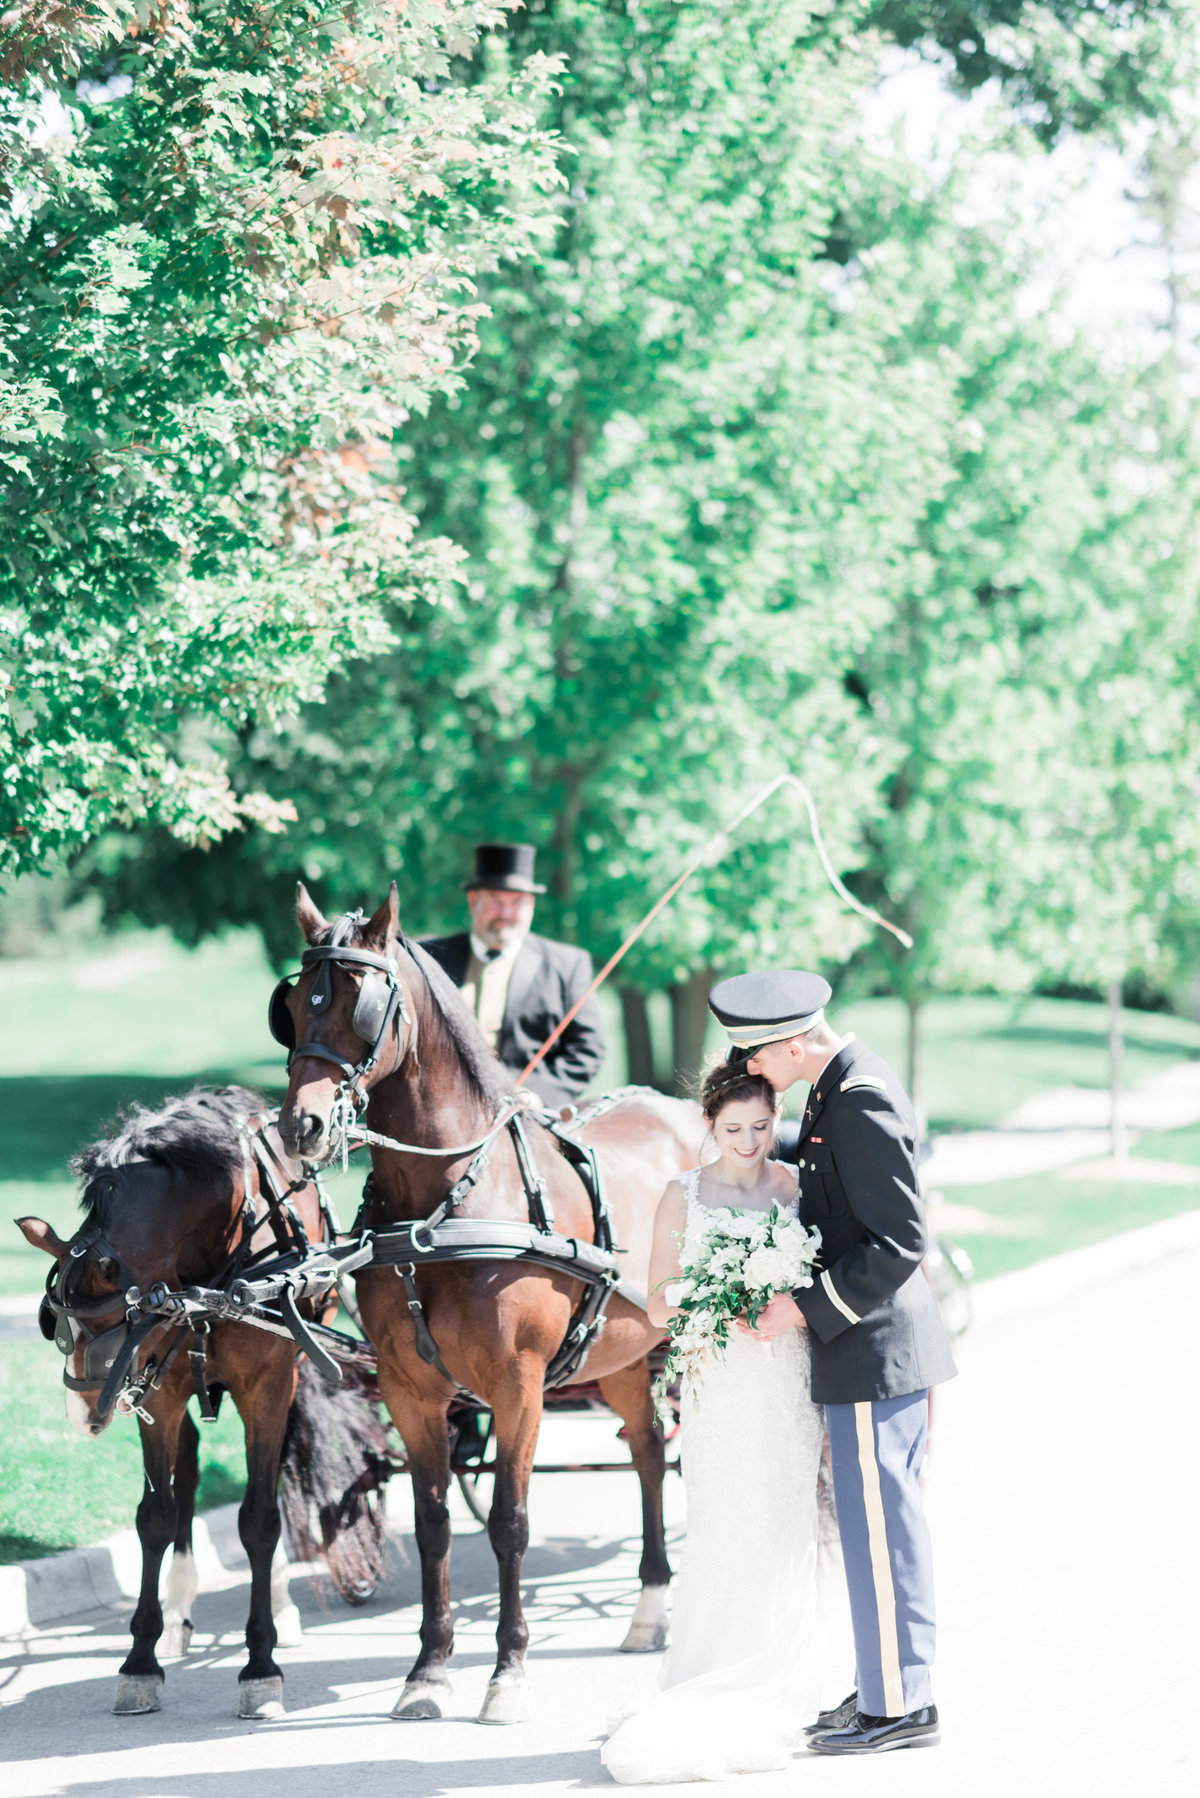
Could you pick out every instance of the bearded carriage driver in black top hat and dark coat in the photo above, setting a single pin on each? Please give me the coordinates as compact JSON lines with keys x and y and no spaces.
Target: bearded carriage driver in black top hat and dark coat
{"x":523,"y":986}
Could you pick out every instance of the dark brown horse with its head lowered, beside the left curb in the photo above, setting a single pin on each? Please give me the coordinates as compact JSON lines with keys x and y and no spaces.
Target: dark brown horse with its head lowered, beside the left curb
{"x":181,"y":1198}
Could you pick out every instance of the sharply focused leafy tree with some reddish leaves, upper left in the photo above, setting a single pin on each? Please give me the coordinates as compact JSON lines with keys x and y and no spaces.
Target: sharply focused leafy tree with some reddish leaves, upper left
{"x":242,"y":253}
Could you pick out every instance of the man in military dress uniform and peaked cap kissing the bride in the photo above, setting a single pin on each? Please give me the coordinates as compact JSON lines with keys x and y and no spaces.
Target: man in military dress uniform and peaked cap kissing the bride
{"x":877,"y":1337}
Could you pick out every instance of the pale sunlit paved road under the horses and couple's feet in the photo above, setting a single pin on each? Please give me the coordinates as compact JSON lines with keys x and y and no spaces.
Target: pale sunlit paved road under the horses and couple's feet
{"x":1070,"y":1569}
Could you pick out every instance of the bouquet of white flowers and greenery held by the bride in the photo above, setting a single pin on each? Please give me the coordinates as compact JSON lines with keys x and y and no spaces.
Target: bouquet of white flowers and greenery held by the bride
{"x":742,"y":1259}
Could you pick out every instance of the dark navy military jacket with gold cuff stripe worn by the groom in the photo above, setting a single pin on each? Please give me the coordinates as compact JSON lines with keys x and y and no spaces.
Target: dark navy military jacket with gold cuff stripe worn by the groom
{"x":872,"y":1313}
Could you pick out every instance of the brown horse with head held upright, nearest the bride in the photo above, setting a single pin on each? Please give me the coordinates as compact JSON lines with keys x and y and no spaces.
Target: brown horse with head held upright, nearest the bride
{"x":431,"y":1081}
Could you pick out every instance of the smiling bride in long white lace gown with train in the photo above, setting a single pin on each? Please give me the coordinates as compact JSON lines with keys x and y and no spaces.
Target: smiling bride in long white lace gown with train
{"x":744,"y":1675}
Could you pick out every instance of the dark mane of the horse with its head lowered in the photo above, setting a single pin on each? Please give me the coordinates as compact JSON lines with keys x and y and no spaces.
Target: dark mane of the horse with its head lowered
{"x":195,"y":1137}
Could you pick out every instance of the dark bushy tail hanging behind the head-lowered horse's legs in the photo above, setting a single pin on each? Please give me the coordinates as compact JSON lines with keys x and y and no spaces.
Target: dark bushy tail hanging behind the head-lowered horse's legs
{"x":336,"y":1466}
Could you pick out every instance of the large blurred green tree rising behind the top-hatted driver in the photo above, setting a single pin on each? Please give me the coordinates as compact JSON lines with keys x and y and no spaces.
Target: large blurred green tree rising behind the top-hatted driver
{"x":672,"y":454}
